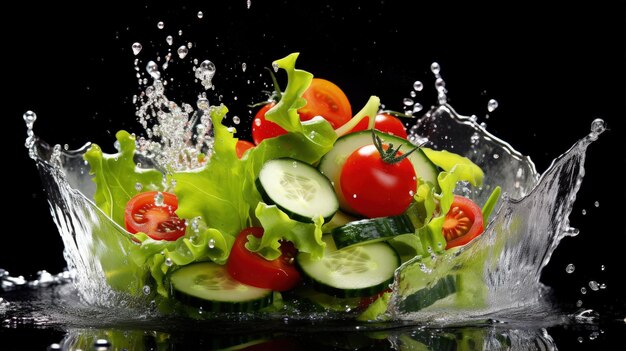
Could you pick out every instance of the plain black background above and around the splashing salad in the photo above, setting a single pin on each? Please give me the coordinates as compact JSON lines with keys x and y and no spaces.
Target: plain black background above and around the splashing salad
{"x":552,"y":70}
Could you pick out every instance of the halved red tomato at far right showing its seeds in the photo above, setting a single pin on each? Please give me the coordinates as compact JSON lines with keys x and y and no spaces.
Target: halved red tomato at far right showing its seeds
{"x":463,"y":222}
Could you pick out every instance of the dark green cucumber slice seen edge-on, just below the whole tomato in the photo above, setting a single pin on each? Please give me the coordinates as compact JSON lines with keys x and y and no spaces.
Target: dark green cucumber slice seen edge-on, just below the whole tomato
{"x":371,"y":230}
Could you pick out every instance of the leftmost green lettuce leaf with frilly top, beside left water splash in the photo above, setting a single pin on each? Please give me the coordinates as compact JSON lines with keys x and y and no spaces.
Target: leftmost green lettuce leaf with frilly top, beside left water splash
{"x":117,"y":175}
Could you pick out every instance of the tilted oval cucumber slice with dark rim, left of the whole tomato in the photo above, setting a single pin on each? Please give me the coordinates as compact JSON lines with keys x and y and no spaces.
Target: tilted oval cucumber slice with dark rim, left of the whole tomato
{"x":298,"y":189}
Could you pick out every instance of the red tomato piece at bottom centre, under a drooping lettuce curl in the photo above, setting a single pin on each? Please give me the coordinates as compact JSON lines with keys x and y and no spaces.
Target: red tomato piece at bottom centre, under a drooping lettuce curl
{"x":250,"y":268}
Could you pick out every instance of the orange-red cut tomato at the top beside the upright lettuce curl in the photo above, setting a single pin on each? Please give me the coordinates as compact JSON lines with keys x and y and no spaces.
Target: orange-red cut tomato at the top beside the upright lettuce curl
{"x":324,"y":98}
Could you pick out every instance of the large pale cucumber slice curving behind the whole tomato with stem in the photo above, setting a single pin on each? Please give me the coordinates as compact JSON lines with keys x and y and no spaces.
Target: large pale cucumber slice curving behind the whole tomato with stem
{"x":332,"y":163}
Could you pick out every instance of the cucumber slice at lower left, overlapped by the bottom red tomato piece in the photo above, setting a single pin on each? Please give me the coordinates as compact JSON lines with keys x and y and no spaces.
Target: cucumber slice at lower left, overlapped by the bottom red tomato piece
{"x":208,"y":285}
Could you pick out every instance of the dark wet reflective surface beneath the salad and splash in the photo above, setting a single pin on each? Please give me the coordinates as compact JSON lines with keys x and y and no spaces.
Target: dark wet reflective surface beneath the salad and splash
{"x":54,"y":317}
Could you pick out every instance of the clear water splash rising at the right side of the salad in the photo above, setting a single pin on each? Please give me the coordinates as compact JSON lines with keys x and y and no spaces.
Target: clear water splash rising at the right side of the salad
{"x":531,"y":220}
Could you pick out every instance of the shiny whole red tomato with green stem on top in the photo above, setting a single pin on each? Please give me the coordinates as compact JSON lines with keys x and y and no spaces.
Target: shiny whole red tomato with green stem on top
{"x":375,"y":188}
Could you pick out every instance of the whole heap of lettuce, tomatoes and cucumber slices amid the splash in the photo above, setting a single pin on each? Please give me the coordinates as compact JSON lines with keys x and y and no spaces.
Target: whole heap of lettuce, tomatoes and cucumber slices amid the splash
{"x":322,"y":207}
